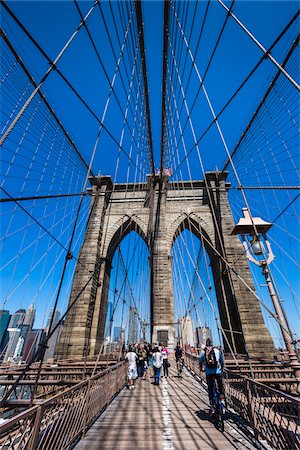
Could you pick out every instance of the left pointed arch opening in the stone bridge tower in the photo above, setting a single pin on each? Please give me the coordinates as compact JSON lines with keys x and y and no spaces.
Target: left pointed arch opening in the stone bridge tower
{"x":127,"y":297}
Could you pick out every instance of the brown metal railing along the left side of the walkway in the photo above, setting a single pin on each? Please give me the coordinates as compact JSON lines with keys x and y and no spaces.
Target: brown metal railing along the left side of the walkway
{"x":58,"y":422}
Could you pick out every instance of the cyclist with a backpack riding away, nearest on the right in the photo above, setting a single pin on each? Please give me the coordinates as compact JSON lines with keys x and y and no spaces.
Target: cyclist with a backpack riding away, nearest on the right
{"x":214,"y":363}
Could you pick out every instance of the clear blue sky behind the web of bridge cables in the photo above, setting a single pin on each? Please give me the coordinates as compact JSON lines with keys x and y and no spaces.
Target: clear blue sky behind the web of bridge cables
{"x":51,"y":24}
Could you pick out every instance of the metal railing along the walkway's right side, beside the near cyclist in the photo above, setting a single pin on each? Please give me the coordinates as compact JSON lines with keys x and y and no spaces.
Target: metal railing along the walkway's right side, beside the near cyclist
{"x":273,"y":415}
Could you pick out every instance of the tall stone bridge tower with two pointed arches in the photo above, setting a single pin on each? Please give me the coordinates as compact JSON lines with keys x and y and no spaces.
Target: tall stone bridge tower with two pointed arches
{"x":159,"y":210}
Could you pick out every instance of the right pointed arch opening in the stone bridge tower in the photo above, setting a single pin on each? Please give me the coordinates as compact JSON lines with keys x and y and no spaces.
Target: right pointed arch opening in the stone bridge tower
{"x":204,"y":303}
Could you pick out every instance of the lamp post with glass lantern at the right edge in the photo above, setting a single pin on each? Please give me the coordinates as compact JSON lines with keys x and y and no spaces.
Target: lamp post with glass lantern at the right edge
{"x":255,"y":242}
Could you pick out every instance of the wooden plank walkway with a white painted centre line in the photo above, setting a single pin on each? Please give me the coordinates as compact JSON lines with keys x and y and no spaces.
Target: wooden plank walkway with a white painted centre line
{"x":172,"y":416}
